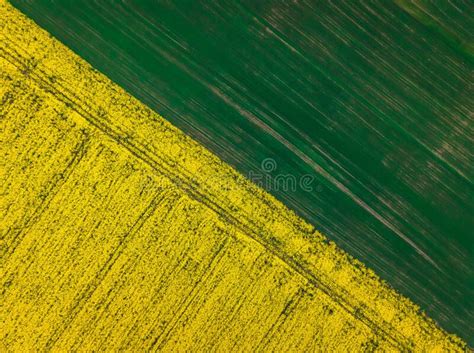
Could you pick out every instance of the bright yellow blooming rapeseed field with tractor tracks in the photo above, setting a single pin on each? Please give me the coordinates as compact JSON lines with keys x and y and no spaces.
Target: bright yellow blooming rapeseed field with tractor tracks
{"x":118,"y":232}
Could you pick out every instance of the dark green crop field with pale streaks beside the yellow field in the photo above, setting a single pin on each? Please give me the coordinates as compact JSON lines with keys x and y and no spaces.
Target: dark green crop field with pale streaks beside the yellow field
{"x":372,"y":99}
